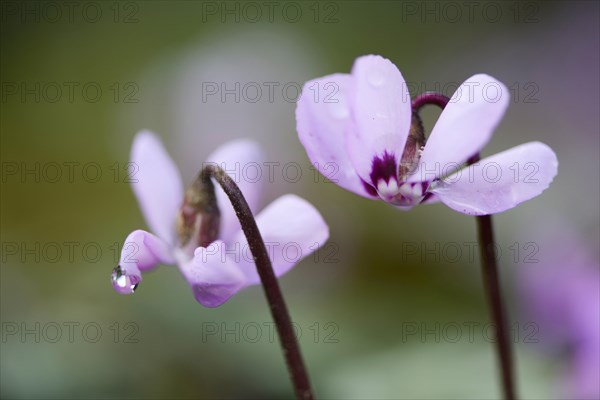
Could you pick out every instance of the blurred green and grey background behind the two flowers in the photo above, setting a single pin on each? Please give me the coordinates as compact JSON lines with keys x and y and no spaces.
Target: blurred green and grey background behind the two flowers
{"x":357,"y":301}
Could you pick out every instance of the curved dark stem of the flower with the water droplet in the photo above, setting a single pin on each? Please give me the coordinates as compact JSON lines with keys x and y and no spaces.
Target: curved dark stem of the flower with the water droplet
{"x":279,"y":312}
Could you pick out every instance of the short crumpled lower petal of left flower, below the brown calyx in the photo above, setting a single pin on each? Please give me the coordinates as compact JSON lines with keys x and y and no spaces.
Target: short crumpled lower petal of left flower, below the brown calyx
{"x":213,"y":275}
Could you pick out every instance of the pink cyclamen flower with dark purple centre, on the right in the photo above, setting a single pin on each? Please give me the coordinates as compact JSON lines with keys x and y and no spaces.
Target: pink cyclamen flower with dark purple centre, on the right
{"x":361,"y":126}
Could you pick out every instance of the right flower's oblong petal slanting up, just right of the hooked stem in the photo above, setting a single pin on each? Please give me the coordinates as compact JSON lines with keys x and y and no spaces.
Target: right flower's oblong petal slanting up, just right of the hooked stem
{"x":464,"y":127}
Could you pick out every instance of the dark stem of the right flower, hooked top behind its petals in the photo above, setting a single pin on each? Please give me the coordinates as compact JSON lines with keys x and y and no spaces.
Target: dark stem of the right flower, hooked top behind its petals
{"x":489,"y":267}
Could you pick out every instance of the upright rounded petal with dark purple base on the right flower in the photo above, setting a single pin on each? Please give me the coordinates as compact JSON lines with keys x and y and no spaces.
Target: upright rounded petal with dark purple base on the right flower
{"x":382,"y":114}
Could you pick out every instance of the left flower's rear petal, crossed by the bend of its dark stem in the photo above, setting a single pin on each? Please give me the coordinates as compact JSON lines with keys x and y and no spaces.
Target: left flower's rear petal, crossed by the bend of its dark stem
{"x":240,"y":159}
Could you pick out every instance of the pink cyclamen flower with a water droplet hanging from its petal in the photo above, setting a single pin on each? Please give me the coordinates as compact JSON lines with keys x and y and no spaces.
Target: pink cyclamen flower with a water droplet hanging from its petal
{"x":218,"y":271}
